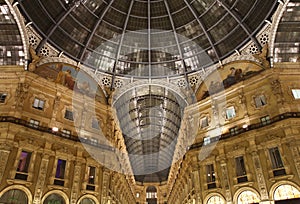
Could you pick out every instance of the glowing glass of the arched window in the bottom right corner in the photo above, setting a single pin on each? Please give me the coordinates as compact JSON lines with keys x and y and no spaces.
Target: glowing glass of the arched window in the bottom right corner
{"x":284,"y":192}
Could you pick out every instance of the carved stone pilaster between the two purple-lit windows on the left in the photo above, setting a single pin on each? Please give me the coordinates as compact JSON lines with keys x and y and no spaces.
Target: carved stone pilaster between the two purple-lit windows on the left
{"x":41,"y":179}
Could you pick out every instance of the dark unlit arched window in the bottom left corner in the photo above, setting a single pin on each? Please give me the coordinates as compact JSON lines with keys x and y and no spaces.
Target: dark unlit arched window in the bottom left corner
{"x":14,"y":196}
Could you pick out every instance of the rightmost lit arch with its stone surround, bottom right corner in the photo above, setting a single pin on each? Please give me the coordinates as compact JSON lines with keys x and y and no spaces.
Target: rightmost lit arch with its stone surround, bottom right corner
{"x":286,"y":184}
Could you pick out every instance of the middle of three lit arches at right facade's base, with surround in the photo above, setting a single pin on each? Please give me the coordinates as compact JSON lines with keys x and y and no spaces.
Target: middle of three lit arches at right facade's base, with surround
{"x":245,"y":194}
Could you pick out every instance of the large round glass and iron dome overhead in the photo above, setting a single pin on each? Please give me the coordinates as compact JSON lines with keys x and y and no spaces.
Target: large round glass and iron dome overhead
{"x":147,"y":38}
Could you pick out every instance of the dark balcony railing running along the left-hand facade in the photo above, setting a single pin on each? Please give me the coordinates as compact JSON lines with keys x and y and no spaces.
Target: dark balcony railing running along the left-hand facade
{"x":14,"y":120}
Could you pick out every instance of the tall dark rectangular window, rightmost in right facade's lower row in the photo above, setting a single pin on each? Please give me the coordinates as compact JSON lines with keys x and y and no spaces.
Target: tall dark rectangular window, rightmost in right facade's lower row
{"x":277,"y":164}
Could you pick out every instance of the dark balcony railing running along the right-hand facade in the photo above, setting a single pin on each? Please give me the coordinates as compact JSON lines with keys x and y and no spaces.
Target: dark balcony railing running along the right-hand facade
{"x":241,"y":130}
